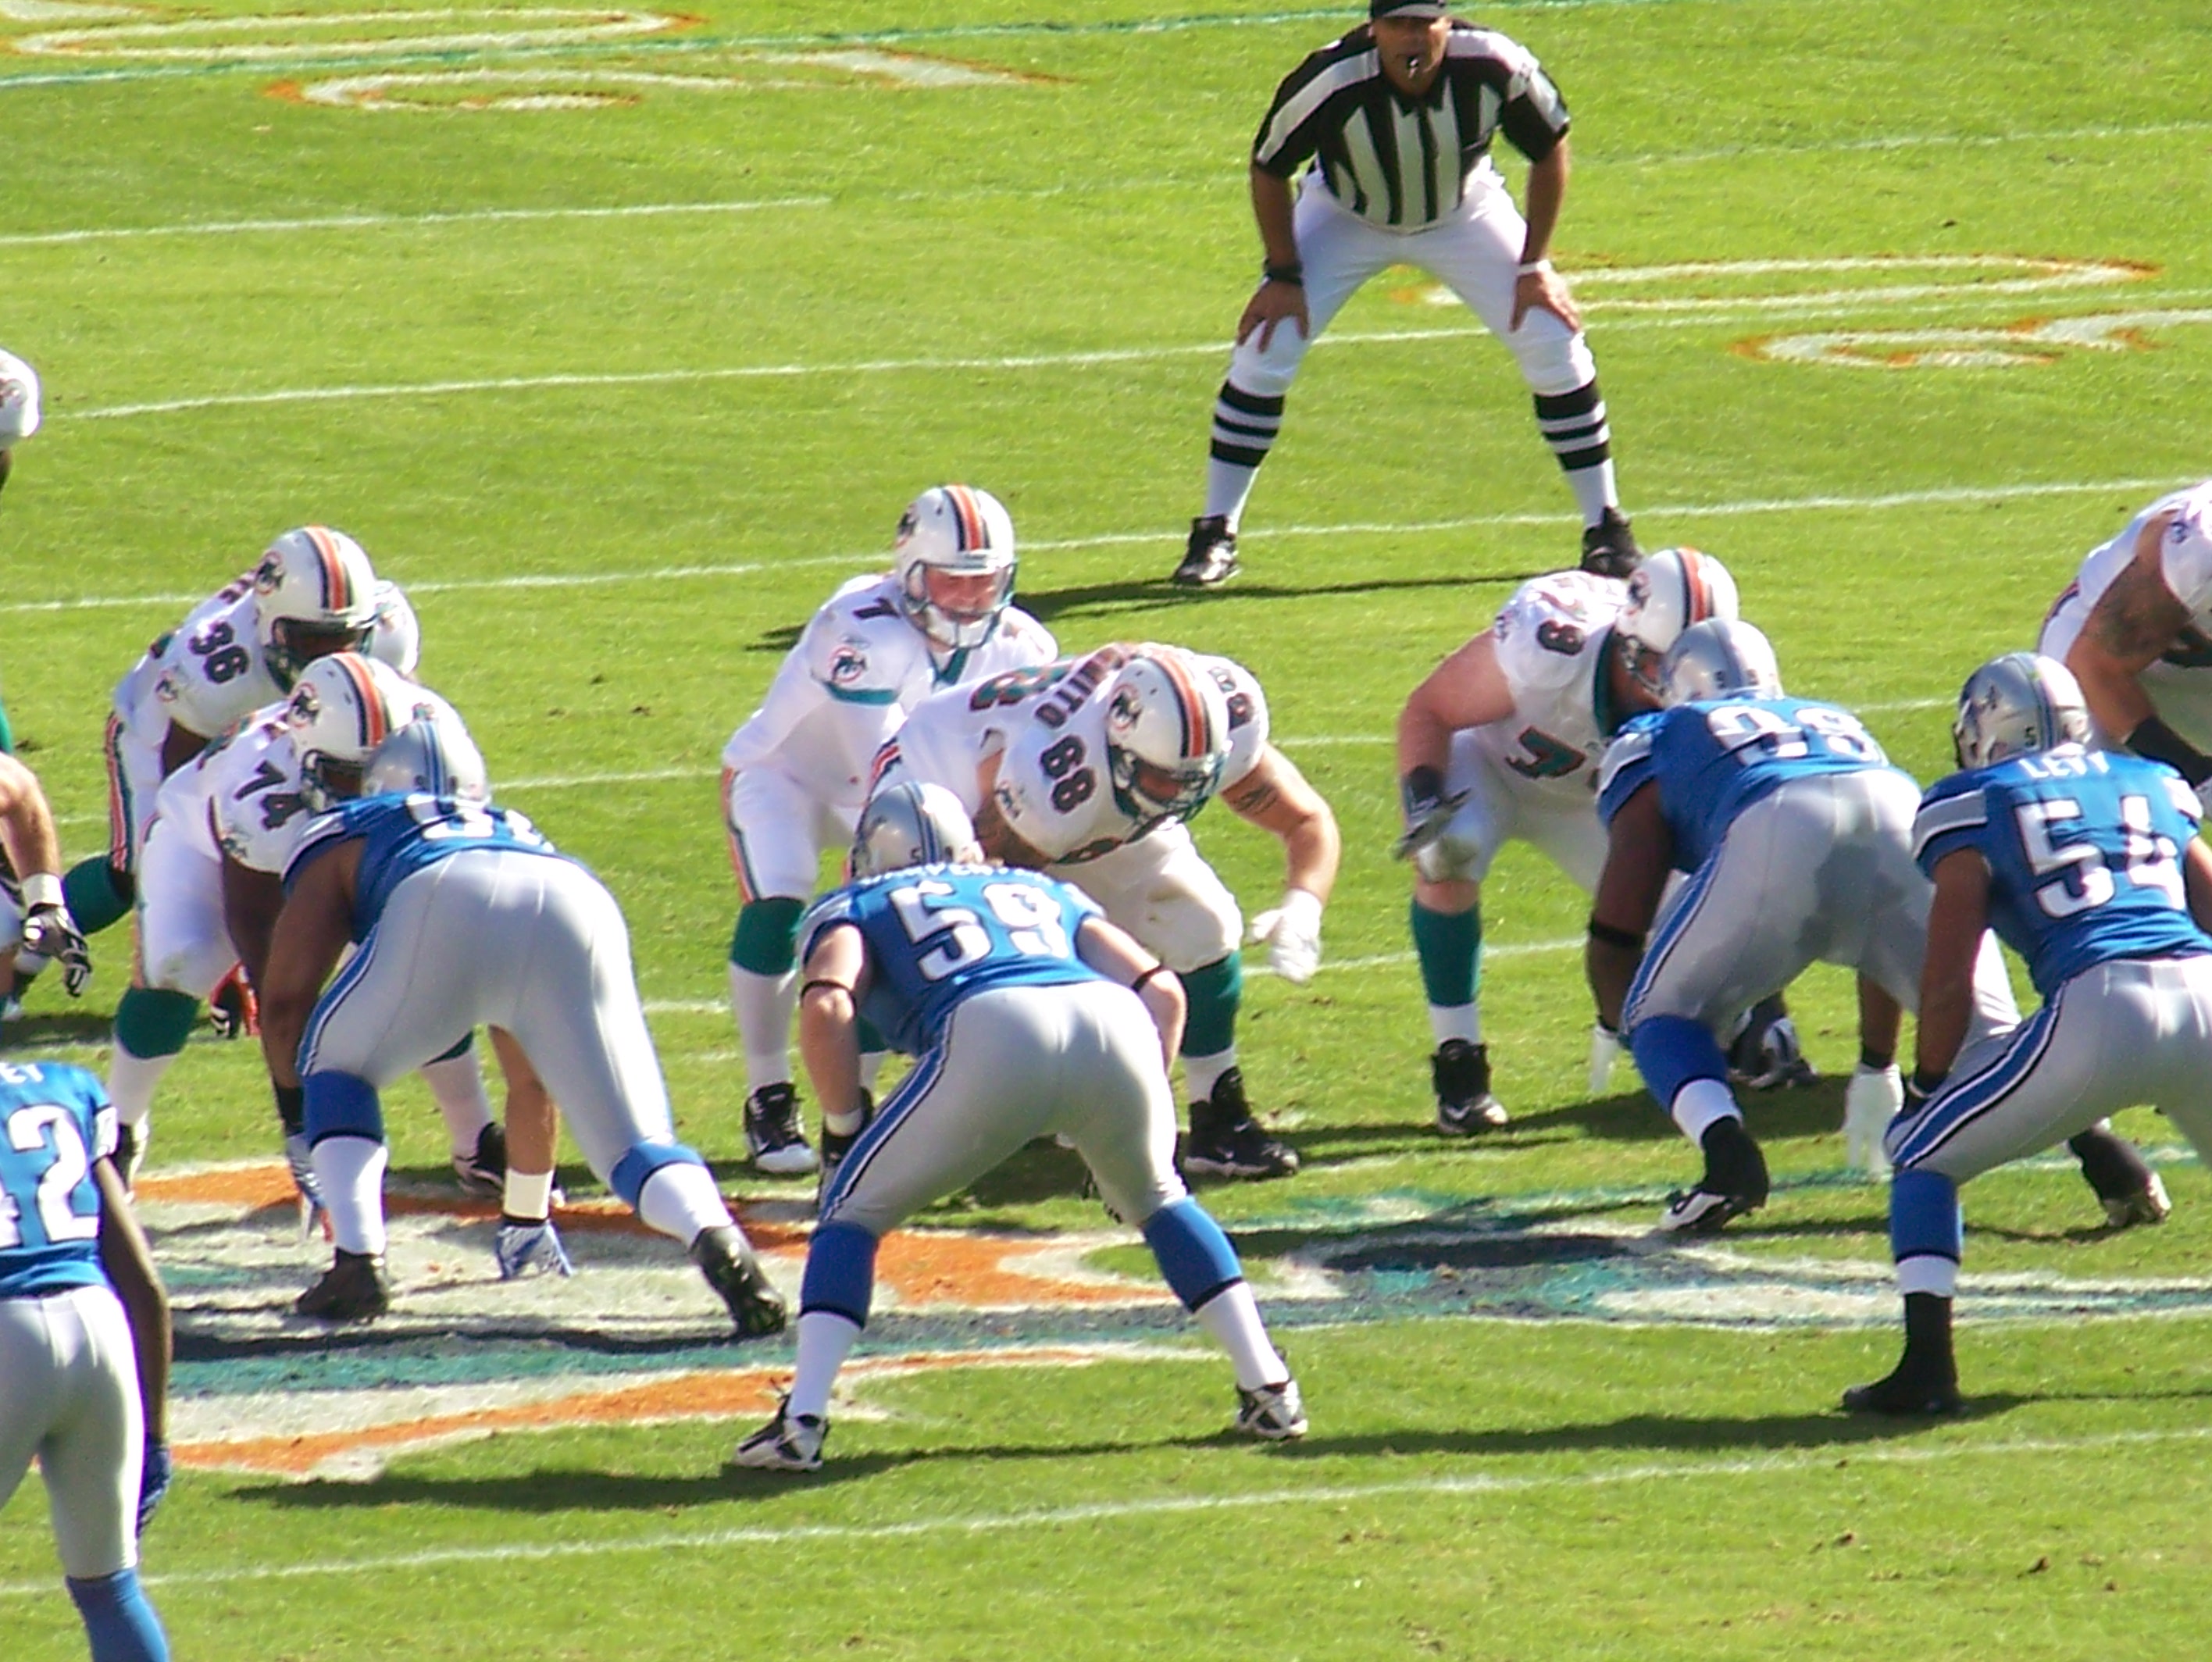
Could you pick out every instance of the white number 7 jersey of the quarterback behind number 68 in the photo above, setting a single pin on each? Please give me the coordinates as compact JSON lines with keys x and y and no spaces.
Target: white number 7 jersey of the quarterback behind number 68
{"x":855,"y":676}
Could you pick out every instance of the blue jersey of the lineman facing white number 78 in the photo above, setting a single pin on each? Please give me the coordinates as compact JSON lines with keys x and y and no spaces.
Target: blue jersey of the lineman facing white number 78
{"x":1715,"y":760}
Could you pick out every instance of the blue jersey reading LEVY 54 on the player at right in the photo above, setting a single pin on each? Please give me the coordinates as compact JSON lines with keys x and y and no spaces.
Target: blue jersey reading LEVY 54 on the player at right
{"x":2085,"y":855}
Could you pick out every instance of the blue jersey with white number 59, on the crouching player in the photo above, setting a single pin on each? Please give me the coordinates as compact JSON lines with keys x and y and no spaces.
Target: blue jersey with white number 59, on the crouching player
{"x":943,"y":933}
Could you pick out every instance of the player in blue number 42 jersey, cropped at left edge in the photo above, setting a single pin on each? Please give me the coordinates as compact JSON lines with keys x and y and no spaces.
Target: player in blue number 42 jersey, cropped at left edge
{"x":83,"y":1347}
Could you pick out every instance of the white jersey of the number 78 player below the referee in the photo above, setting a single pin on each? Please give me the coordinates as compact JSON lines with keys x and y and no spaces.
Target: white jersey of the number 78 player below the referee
{"x":1552,"y":647}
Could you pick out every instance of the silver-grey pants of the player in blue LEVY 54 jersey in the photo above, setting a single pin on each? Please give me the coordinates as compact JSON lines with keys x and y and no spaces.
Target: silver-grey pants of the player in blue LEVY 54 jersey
{"x":2116,"y":1037}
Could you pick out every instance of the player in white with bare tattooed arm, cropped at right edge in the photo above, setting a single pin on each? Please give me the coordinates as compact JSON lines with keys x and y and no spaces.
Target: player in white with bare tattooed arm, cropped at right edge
{"x":2136,"y":627}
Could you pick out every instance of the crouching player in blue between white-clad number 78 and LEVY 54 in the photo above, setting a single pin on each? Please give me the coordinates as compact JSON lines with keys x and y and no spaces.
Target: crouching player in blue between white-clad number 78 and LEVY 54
{"x":1795,"y":831}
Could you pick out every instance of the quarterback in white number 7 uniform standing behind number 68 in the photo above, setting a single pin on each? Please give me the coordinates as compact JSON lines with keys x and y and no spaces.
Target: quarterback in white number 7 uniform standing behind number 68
{"x":797,"y":773}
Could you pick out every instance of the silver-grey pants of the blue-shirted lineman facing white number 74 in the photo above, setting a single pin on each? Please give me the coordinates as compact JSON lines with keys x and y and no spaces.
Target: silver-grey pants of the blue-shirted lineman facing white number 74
{"x":505,"y":939}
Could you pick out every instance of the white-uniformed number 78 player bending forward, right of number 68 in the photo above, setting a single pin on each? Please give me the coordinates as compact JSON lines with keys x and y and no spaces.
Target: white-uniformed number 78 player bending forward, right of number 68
{"x":1503,"y":740}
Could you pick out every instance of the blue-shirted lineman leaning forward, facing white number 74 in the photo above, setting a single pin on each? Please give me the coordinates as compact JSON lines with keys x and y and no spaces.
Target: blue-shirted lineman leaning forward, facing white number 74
{"x":466,"y":915}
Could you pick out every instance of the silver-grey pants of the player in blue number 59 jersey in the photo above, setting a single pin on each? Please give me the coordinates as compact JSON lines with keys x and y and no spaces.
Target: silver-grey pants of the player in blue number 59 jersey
{"x":1021,"y":1063}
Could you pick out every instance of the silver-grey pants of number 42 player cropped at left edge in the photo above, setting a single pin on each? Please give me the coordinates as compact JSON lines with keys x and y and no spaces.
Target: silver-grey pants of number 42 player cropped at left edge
{"x":70,"y":1395}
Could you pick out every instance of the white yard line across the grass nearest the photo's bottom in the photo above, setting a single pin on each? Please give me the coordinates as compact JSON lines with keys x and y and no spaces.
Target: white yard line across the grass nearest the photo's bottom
{"x":1167,"y":1506}
